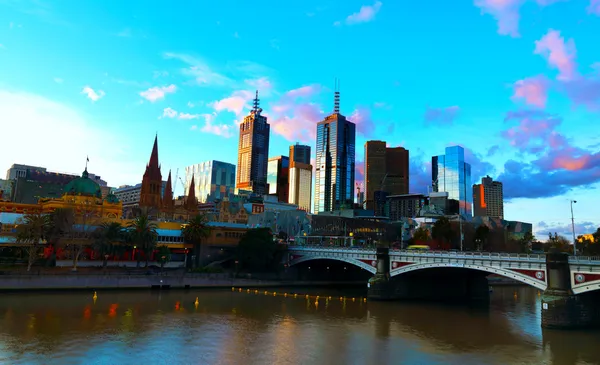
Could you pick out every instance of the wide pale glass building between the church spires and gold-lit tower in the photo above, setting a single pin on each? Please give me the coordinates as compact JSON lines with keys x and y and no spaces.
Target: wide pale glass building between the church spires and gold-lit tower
{"x":214,"y":180}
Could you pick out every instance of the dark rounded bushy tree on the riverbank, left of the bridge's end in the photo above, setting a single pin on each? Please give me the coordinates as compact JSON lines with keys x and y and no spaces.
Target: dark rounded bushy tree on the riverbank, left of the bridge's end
{"x":256,"y":250}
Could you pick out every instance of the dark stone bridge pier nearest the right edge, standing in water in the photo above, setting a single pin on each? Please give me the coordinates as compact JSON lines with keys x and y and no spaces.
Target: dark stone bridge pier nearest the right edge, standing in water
{"x":561,"y":309}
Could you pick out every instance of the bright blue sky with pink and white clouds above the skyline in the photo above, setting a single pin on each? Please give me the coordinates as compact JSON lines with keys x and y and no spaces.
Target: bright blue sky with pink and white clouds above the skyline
{"x":515,"y":82}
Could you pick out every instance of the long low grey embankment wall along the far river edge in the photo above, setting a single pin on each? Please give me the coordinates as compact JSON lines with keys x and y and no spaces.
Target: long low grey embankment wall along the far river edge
{"x":130,"y":282}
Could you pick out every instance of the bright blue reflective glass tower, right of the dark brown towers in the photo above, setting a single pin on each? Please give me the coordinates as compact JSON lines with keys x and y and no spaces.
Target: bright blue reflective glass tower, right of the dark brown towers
{"x":450,"y":173}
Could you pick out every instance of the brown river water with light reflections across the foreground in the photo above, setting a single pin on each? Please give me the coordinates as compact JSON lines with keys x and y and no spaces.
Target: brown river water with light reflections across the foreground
{"x":232,"y":327}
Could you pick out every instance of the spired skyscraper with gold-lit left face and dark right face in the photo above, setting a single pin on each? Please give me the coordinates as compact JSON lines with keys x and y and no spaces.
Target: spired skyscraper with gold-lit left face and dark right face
{"x":253,"y":152}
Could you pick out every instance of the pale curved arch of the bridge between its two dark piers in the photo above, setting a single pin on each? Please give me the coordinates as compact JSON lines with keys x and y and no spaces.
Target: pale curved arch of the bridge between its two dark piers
{"x":492,"y":270}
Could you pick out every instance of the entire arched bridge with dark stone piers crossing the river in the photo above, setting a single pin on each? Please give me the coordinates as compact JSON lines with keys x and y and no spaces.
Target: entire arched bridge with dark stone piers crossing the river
{"x":569,"y":282}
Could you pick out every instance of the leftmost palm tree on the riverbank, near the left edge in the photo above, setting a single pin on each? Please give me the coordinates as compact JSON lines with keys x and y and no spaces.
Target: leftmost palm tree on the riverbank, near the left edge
{"x":31,"y":233}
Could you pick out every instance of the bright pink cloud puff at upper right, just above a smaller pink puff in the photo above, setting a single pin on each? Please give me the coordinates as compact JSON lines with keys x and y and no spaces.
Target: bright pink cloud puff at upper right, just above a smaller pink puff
{"x":560,"y":54}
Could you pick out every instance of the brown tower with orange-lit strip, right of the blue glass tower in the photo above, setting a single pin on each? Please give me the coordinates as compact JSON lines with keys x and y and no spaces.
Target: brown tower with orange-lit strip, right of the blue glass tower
{"x":488,"y":199}
